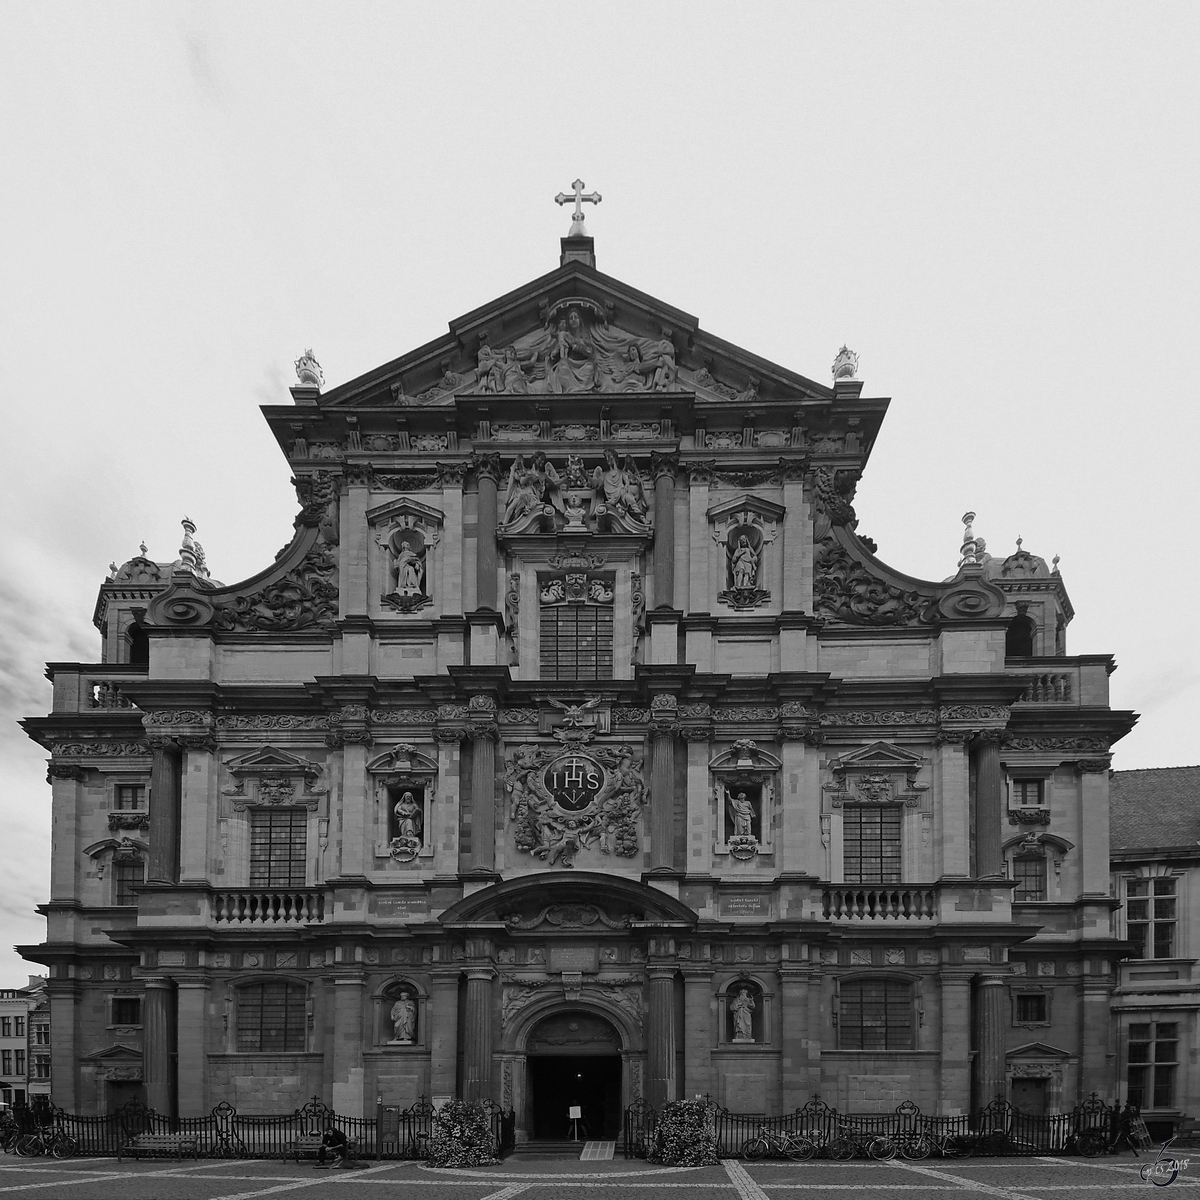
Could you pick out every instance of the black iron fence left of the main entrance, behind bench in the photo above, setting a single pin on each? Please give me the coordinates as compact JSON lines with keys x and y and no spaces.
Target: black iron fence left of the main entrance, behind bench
{"x":394,"y":1132}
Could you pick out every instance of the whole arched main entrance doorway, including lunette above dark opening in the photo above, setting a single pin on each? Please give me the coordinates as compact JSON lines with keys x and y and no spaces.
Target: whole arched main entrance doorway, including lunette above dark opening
{"x":574,"y":1061}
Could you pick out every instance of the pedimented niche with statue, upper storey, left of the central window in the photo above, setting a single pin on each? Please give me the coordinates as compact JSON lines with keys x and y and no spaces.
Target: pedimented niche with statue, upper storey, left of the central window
{"x":406,"y":567}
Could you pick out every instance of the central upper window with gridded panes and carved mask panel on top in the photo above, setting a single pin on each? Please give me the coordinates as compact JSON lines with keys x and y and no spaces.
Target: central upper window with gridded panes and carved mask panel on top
{"x":575,"y":631}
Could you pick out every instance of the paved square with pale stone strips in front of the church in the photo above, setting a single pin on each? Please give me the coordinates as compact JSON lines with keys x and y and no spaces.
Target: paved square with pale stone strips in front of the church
{"x":1012,"y":1179}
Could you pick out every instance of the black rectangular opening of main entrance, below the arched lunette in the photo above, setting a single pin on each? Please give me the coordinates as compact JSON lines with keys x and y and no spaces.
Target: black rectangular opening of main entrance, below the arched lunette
{"x":591,"y":1083}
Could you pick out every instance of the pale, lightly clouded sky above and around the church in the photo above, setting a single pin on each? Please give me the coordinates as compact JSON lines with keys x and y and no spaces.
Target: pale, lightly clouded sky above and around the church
{"x":993,"y":205}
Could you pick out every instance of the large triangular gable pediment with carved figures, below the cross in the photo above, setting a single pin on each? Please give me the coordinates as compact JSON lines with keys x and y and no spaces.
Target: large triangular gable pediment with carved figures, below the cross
{"x":574,"y":331}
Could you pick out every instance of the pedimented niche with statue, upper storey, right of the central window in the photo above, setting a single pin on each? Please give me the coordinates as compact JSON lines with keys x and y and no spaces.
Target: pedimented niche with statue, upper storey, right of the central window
{"x":746,"y":559}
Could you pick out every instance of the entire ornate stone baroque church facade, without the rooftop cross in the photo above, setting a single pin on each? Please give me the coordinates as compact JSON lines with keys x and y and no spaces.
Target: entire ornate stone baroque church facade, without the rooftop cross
{"x":578,"y":749}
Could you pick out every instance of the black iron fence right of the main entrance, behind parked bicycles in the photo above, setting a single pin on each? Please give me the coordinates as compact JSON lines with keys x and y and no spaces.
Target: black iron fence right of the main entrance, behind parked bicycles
{"x":994,"y":1131}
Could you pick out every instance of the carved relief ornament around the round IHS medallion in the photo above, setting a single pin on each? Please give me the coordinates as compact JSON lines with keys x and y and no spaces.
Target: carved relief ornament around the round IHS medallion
{"x":563,"y":801}
